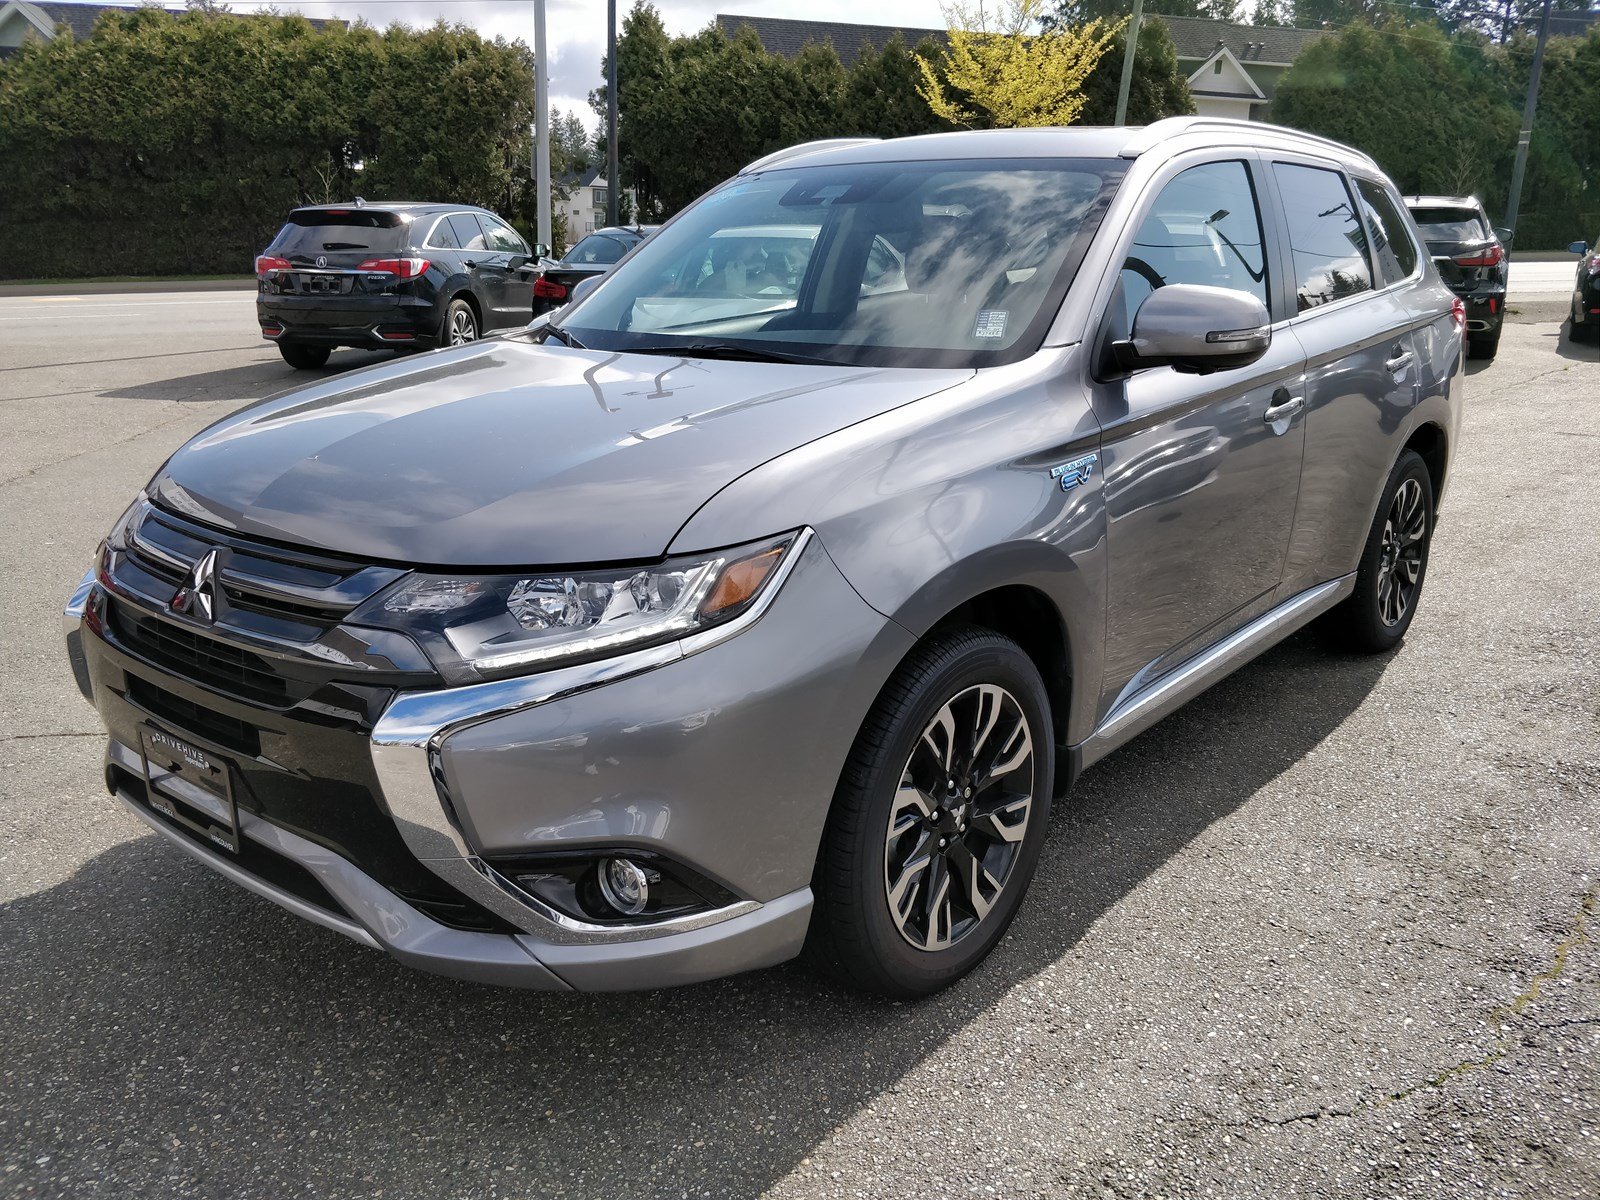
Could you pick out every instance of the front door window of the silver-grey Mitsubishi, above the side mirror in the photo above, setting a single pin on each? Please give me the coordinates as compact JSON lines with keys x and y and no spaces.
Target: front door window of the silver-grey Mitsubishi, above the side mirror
{"x":1204,"y":228}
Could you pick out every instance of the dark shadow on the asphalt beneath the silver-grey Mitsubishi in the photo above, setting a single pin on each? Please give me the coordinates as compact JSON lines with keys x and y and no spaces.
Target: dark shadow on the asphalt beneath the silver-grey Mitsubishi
{"x":169,"y":1026}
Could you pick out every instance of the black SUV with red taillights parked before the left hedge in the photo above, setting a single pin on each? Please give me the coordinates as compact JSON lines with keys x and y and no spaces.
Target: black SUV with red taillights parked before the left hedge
{"x":398,"y":274}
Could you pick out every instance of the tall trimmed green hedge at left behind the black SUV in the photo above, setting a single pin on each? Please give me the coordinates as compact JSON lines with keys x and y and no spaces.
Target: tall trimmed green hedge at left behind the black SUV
{"x":175,"y":145}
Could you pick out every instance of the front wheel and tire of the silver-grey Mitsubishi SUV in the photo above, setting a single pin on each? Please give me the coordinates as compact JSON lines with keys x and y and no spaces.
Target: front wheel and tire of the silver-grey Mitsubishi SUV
{"x":938,"y":818}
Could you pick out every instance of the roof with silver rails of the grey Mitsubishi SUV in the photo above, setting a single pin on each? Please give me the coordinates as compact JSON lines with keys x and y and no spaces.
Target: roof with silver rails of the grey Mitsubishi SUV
{"x":1079,"y":142}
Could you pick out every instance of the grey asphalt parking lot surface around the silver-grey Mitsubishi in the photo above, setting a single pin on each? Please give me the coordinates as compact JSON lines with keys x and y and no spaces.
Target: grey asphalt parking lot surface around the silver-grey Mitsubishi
{"x":1332,"y":930}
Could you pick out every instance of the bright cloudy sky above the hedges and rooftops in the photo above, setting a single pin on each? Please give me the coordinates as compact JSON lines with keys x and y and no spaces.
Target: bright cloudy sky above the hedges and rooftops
{"x":577,"y":28}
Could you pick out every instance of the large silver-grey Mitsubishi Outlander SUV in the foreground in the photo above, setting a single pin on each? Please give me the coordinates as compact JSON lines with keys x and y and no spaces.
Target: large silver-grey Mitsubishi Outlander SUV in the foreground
{"x":764,"y":598}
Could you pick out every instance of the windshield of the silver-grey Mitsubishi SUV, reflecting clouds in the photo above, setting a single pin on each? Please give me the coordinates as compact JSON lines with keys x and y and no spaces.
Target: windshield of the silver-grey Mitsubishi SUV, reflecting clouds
{"x":930,"y":265}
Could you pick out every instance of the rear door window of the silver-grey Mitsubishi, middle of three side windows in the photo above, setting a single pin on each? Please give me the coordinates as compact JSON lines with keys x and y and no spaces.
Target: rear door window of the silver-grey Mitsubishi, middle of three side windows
{"x":1326,"y":236}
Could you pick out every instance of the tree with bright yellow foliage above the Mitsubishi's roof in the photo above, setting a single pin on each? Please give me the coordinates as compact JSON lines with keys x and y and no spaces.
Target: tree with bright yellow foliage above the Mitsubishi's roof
{"x":1001,"y":71}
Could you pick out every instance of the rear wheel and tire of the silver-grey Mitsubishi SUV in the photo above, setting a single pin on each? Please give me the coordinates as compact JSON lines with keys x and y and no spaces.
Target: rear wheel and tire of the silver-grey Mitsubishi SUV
{"x":1394,"y":564}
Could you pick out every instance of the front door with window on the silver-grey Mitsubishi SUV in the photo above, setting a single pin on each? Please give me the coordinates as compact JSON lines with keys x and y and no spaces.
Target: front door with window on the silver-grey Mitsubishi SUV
{"x":1201,"y":471}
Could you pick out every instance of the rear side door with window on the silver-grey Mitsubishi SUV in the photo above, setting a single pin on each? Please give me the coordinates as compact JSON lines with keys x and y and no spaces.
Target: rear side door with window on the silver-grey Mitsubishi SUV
{"x":1362,"y":374}
